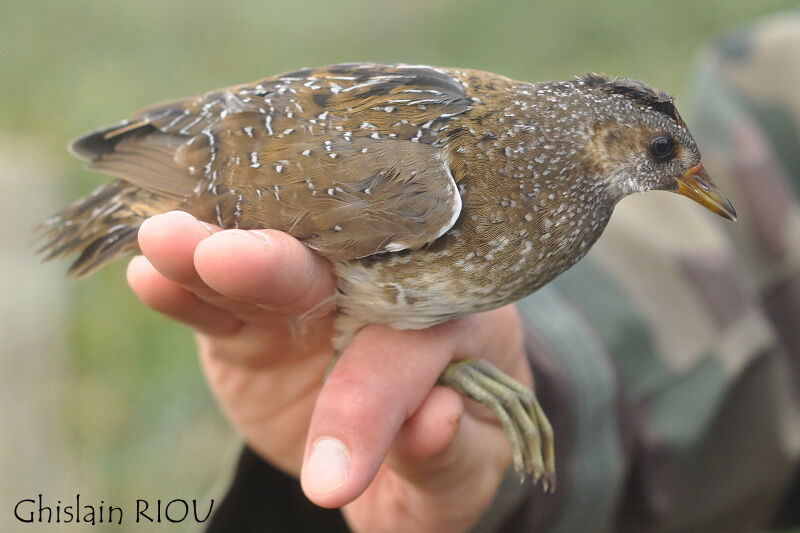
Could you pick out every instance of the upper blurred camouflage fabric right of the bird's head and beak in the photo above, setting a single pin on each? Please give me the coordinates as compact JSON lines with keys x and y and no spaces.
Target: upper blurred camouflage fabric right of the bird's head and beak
{"x":747,"y":106}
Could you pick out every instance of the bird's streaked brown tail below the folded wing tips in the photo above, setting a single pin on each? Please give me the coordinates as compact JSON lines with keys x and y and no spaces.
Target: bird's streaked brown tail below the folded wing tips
{"x":101,"y":226}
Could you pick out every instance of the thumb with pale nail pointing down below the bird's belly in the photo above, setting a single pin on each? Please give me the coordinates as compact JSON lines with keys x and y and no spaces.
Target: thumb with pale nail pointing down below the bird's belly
{"x":378,"y":383}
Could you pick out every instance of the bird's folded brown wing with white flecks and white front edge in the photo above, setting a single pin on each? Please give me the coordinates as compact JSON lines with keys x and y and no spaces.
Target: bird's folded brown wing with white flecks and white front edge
{"x":348,"y":158}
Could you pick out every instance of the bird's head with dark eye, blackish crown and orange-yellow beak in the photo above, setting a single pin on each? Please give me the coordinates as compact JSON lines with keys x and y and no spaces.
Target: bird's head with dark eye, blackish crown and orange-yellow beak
{"x":639,"y":142}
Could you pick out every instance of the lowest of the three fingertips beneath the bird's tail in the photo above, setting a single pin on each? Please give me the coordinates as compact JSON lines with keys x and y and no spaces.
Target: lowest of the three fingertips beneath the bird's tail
{"x":170,"y":299}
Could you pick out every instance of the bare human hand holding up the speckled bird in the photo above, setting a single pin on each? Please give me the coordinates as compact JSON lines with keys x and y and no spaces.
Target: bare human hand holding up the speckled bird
{"x":417,"y":456}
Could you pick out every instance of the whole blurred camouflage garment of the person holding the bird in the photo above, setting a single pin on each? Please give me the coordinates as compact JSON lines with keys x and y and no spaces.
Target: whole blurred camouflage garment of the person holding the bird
{"x":667,"y":359}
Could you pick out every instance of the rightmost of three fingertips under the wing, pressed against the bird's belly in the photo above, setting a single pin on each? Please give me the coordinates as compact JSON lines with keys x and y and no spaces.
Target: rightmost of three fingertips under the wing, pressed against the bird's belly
{"x":273,"y":269}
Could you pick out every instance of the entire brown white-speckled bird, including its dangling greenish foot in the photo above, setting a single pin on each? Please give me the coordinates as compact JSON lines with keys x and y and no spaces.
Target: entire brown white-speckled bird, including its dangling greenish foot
{"x":434,"y":192}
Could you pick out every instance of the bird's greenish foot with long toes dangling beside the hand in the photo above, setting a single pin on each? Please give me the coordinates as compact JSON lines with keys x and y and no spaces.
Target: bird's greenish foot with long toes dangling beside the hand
{"x":518,"y":411}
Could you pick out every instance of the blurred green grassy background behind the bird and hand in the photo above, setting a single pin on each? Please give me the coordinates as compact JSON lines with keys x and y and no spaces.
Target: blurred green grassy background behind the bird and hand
{"x":126,"y":413}
